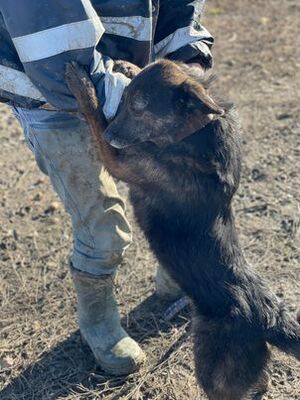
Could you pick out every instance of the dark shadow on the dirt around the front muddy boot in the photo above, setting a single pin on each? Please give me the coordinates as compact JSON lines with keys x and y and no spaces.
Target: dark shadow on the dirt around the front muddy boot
{"x":70,"y":365}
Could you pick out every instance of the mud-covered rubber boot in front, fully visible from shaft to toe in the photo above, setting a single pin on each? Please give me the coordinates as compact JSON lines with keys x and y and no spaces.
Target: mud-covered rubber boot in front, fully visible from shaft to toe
{"x":100,"y":325}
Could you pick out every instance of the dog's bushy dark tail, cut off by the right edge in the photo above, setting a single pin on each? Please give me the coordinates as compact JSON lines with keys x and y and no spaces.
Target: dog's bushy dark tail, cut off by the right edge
{"x":285,"y":334}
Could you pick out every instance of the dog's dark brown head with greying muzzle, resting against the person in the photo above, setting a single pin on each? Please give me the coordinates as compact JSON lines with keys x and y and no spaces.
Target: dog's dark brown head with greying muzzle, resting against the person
{"x":163,"y":105}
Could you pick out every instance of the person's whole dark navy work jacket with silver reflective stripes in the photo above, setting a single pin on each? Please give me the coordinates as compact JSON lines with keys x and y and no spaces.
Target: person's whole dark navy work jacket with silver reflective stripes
{"x":37,"y":38}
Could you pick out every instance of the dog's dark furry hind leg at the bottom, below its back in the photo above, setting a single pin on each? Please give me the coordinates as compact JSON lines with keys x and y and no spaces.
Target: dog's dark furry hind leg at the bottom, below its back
{"x":230,"y":360}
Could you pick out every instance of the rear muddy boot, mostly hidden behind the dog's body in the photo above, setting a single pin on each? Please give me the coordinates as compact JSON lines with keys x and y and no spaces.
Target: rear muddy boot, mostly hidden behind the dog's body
{"x":165,"y":286}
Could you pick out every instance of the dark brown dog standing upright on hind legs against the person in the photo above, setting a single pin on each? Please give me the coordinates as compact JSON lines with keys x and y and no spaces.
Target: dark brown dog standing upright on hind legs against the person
{"x":179,"y":151}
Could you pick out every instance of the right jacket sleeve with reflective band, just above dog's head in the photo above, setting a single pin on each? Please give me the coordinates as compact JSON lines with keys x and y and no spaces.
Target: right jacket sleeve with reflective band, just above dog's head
{"x":179,"y":34}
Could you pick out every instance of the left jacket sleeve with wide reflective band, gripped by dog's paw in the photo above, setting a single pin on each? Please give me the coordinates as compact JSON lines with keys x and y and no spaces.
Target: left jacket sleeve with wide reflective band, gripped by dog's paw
{"x":48,"y":34}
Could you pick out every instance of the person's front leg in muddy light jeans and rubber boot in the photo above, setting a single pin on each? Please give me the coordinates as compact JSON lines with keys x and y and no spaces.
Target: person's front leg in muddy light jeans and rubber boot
{"x":65,"y":151}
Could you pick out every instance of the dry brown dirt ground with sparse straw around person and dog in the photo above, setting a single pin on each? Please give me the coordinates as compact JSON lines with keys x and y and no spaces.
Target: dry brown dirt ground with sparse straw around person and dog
{"x":257,"y":59}
